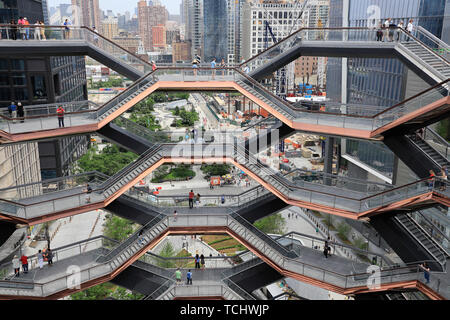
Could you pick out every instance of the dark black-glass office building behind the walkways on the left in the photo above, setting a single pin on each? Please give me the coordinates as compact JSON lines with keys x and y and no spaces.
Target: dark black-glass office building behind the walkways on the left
{"x":43,"y":80}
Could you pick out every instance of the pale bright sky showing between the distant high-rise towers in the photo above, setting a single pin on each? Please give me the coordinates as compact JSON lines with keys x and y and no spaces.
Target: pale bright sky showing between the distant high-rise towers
{"x":124,"y":5}
